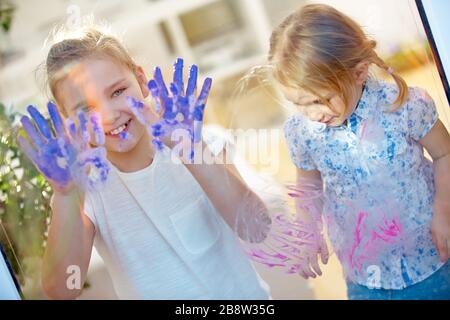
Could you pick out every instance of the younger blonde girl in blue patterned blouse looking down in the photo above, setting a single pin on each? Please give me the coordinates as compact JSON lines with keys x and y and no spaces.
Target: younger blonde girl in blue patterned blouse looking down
{"x":388,"y":210}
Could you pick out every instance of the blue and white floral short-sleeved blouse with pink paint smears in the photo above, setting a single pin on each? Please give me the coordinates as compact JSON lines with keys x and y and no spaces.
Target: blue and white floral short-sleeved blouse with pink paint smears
{"x":378,"y":186}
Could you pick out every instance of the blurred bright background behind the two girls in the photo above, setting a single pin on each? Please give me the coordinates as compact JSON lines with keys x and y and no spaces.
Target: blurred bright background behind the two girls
{"x":225,"y":38}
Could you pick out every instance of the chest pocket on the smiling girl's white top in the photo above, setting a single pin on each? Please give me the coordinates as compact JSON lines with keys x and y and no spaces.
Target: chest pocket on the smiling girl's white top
{"x":196,"y":226}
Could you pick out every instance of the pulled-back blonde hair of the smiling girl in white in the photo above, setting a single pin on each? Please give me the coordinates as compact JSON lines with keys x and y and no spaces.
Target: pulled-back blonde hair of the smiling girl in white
{"x":72,"y":46}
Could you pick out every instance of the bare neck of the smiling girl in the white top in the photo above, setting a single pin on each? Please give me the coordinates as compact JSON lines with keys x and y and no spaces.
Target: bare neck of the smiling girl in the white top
{"x":138,"y":158}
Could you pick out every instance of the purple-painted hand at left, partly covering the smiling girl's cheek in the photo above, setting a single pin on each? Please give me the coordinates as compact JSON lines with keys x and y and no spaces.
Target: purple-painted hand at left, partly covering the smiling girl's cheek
{"x":64,"y":156}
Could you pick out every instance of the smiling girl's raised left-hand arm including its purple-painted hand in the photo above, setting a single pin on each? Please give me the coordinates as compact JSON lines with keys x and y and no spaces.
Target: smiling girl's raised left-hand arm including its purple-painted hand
{"x":62,"y":155}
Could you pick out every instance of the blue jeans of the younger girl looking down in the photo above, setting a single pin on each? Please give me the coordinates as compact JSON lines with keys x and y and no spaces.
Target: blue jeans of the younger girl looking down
{"x":435,"y":287}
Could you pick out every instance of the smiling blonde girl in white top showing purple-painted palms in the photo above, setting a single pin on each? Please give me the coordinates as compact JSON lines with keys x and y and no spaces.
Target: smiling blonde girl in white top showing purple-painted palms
{"x":162,"y":228}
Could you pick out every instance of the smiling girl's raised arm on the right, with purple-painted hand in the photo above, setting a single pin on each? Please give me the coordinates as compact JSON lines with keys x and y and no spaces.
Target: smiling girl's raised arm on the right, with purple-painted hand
{"x":222,"y":184}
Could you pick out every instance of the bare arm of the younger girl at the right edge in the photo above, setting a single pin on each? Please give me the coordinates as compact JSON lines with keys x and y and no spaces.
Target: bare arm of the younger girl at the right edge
{"x":437,"y":143}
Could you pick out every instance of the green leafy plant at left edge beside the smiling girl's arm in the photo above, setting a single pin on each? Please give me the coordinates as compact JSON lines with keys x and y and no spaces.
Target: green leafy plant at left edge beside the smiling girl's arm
{"x":24,"y":206}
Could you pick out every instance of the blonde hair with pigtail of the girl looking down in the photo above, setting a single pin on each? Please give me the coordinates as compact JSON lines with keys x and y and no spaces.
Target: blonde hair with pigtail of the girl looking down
{"x":318,"y":47}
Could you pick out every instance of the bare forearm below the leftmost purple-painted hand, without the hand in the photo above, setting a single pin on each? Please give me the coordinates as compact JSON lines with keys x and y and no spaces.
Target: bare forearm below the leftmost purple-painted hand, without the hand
{"x":69,"y":246}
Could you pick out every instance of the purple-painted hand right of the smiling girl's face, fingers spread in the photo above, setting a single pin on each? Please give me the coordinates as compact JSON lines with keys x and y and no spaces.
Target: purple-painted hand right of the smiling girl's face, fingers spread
{"x":178,"y":109}
